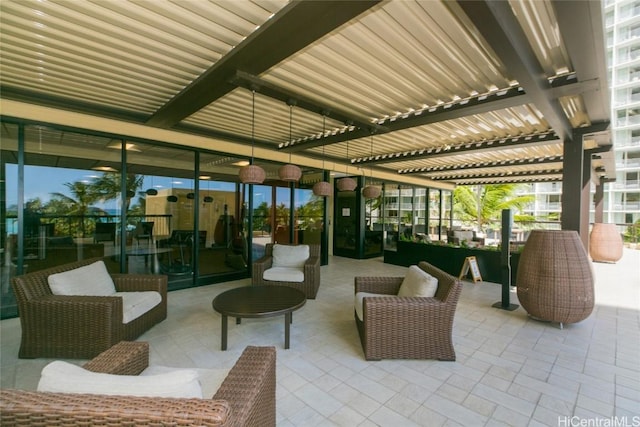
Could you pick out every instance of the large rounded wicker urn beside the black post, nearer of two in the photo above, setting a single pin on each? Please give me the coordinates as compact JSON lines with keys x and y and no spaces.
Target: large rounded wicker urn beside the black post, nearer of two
{"x":555,"y":281}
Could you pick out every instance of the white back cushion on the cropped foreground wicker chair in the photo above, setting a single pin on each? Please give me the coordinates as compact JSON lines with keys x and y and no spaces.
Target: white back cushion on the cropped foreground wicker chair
{"x":63,"y":377}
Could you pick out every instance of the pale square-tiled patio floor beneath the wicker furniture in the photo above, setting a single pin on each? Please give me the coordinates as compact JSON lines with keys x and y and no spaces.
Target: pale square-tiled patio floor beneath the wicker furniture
{"x":510,"y":370}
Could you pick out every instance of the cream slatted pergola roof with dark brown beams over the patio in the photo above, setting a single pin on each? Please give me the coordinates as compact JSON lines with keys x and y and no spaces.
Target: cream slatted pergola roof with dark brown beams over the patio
{"x":433,"y":93}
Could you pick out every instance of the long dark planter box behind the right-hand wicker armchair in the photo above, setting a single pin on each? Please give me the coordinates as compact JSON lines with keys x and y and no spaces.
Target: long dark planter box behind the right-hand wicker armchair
{"x":451,"y":259}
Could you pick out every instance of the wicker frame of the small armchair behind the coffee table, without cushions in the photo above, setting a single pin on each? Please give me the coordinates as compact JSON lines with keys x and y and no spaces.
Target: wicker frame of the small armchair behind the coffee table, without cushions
{"x":311,"y":281}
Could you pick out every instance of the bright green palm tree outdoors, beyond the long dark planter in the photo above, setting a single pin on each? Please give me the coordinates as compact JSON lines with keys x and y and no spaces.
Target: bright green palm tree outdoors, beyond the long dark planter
{"x":483,"y":204}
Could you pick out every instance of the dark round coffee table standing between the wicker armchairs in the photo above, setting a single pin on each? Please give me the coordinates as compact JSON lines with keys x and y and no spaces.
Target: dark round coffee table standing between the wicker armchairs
{"x":258,"y":301}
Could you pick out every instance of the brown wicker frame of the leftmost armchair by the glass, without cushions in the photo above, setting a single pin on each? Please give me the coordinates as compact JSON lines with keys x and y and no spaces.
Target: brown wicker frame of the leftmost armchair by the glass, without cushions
{"x":80,"y":327}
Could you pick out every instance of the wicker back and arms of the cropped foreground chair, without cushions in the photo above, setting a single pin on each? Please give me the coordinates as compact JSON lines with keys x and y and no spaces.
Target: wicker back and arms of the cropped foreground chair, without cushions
{"x":247,"y":397}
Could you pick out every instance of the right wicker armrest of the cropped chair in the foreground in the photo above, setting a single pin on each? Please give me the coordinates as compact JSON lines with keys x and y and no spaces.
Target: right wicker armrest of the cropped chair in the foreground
{"x":250,"y":387}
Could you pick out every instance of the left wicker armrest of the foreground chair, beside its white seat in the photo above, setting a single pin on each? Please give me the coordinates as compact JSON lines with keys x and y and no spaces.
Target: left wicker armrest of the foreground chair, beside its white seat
{"x":124,"y":358}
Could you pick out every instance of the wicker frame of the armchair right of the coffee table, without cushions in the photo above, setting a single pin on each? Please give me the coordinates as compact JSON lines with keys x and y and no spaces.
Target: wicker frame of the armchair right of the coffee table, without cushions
{"x":396,"y":327}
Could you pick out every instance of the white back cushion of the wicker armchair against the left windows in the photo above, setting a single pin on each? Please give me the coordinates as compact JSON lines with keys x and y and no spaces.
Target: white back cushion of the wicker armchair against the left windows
{"x":92,"y":279}
